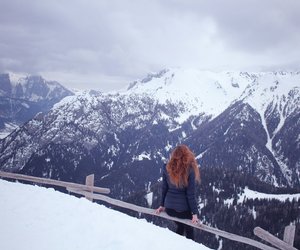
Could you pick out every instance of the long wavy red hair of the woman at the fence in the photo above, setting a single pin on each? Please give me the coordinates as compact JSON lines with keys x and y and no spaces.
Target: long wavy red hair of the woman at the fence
{"x":182,"y":159}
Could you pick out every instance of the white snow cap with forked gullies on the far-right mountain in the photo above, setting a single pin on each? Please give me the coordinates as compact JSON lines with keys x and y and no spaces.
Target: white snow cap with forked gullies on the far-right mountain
{"x":273,"y":92}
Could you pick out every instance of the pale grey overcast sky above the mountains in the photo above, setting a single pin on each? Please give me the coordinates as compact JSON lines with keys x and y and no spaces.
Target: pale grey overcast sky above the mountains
{"x":106,"y":45}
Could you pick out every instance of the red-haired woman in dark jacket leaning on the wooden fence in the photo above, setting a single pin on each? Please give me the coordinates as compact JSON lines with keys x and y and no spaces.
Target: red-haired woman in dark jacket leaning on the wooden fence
{"x":178,"y":190}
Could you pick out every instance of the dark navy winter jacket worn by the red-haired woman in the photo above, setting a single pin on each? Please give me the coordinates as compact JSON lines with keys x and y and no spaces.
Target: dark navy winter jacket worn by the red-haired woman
{"x":179,"y":198}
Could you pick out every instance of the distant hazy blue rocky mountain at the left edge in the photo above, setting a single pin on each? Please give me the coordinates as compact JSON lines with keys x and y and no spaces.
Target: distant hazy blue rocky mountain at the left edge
{"x":22,"y":97}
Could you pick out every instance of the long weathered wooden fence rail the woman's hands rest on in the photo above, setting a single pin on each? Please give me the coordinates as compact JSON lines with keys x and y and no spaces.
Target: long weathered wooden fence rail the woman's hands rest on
{"x":149,"y":211}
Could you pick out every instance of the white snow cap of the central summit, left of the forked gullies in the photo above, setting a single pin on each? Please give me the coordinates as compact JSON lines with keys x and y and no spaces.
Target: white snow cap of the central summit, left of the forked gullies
{"x":202,"y":91}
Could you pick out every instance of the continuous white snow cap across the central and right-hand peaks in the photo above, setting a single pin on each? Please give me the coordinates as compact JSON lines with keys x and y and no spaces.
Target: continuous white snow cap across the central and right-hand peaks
{"x":211,"y":91}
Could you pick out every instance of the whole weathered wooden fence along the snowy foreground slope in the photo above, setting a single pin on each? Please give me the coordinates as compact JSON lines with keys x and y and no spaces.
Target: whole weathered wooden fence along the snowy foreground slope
{"x":92,"y":193}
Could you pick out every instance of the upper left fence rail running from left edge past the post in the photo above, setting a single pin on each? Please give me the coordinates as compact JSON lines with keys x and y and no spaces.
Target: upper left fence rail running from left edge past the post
{"x":54,"y":182}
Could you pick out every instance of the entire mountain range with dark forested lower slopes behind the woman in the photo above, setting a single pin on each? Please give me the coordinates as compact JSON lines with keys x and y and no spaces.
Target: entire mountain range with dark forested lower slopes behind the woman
{"x":243,"y":128}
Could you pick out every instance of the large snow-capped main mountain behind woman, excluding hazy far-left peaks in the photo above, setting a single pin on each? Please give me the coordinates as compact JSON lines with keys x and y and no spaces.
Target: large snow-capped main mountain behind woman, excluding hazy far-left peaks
{"x":243,"y":121}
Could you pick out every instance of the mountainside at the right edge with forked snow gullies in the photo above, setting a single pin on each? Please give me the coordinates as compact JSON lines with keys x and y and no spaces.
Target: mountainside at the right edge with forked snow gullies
{"x":276,"y":98}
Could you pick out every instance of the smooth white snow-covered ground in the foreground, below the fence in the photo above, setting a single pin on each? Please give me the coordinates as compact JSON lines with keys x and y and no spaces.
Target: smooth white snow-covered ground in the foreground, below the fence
{"x":37,"y":218}
